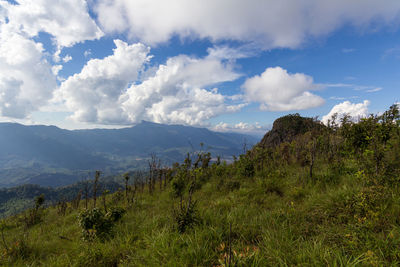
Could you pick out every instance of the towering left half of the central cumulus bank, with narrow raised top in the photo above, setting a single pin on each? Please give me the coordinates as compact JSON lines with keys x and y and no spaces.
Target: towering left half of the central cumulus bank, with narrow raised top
{"x":94,"y":92}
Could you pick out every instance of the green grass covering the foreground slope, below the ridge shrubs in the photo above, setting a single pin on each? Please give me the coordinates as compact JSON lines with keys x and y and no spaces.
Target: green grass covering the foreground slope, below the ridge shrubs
{"x":281,"y":218}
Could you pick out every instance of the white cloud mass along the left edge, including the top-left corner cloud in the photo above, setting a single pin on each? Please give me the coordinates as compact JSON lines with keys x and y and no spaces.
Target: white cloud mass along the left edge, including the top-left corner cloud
{"x":27,"y":79}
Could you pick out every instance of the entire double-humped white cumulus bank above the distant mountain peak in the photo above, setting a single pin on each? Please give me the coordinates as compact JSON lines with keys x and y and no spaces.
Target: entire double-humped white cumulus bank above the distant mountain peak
{"x":109,"y":91}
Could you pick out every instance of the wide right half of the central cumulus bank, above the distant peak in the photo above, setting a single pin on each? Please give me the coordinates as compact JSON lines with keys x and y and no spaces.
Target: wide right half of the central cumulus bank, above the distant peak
{"x":177,"y":94}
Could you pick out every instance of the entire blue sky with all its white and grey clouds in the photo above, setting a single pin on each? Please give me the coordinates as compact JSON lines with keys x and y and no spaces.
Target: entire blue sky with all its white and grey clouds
{"x":228,"y":65}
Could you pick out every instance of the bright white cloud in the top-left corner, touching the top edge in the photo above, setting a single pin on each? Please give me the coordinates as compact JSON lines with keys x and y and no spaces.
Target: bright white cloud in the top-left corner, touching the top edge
{"x":67,"y":21}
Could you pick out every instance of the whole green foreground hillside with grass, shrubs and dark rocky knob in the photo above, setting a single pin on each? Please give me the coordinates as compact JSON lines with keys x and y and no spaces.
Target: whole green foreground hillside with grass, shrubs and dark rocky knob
{"x":325,"y":196}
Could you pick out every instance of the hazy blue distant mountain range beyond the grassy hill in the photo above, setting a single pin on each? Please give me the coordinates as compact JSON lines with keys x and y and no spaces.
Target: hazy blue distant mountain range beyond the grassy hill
{"x":50,"y":156}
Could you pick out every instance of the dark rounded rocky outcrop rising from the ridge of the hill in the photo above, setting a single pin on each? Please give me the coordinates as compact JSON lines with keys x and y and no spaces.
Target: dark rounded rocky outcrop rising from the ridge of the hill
{"x":287,"y":128}
